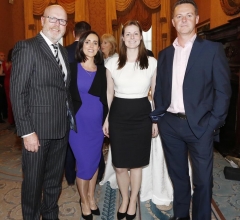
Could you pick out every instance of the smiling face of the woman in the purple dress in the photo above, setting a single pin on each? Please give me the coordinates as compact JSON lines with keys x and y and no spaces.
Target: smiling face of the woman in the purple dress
{"x":90,"y":45}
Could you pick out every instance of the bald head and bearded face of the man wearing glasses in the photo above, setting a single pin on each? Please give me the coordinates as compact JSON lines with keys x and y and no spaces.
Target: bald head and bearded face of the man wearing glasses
{"x":53,"y":31}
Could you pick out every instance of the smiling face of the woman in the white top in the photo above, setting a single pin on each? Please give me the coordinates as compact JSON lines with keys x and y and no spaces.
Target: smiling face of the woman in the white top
{"x":132,"y":36}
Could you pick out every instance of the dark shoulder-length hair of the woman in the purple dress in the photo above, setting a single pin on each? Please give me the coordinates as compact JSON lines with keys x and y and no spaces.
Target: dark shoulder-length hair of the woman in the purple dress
{"x":80,"y":56}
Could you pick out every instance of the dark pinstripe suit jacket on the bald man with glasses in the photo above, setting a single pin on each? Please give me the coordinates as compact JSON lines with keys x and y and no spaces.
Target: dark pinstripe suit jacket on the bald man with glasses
{"x":38,"y":92}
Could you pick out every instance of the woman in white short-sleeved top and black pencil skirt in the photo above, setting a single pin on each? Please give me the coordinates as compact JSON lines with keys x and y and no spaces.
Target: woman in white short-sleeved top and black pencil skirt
{"x":130,"y":129}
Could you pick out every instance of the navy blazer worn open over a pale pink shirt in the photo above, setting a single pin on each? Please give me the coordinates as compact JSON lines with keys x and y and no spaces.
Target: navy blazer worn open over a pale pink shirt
{"x":206,"y":85}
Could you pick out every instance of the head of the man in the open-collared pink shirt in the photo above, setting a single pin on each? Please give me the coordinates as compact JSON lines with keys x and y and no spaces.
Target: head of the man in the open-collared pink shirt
{"x":185,"y":19}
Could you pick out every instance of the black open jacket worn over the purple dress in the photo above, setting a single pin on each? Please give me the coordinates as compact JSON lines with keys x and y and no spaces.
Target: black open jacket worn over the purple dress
{"x":98,"y":88}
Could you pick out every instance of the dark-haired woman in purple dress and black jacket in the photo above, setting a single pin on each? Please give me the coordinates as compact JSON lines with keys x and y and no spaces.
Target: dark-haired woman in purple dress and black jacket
{"x":88,"y":91}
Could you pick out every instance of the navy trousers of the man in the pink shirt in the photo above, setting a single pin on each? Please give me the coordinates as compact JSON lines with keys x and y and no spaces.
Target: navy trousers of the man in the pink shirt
{"x":178,"y":142}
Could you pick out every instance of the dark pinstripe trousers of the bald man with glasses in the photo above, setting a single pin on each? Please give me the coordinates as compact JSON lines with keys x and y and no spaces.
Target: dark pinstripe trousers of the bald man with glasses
{"x":42,"y":179}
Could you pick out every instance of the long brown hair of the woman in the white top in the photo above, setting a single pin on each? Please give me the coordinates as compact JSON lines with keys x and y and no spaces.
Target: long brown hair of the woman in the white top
{"x":142,"y":58}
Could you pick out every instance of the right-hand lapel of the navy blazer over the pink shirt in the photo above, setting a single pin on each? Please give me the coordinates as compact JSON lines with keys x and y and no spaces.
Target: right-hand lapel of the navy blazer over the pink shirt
{"x":196,"y":49}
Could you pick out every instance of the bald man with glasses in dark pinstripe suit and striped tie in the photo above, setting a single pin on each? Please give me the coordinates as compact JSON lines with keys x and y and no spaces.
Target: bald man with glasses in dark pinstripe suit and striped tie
{"x":39,"y":94}
